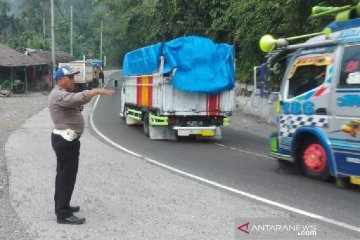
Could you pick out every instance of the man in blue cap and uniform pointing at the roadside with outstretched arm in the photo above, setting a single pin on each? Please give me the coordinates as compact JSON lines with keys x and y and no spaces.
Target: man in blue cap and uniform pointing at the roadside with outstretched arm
{"x":65,"y":110}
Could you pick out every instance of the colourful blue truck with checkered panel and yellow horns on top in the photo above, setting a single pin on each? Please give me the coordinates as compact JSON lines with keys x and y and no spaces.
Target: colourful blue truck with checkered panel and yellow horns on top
{"x":319,"y":100}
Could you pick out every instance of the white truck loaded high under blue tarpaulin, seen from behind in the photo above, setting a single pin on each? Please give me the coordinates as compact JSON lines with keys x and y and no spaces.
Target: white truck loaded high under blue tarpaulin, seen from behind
{"x":179,"y":88}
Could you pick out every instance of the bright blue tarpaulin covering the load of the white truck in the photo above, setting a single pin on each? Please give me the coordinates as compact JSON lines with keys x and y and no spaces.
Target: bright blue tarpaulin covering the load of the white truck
{"x":201,"y":65}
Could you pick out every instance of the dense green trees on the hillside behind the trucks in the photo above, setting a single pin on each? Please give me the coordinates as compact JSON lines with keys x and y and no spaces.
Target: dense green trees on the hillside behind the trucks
{"x":130,"y":24}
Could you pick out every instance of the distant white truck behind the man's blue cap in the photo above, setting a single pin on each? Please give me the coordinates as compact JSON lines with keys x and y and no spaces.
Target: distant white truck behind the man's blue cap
{"x":83,"y":80}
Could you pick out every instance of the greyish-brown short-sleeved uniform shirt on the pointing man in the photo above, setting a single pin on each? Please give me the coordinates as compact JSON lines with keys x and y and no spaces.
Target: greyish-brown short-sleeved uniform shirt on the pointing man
{"x":64,"y":108}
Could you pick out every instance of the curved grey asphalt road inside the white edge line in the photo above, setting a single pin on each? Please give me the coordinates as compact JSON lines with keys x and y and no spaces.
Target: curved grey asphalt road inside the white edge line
{"x":238,"y":161}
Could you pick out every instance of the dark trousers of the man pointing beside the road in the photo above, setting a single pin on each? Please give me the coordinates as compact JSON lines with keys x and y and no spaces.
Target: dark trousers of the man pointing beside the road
{"x":67,"y":155}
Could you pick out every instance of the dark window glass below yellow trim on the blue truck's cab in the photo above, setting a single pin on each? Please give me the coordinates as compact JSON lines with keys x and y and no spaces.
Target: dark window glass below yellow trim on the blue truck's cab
{"x":306,"y":78}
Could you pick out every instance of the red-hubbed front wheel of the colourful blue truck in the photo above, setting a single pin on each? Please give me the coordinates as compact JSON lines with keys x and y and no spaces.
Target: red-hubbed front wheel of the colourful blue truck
{"x":315,"y":161}
